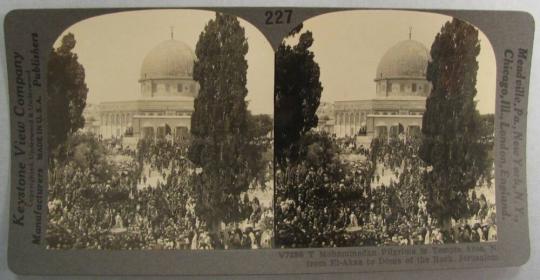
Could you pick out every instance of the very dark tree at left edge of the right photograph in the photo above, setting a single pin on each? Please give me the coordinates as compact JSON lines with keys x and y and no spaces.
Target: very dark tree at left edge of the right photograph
{"x":297,"y":94}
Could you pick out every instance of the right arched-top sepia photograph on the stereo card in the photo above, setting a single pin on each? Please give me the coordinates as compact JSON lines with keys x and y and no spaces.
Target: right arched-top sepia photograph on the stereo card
{"x":384,"y":131}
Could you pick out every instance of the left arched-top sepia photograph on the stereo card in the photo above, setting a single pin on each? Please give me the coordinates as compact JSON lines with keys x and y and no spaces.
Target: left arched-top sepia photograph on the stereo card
{"x":160,"y":133}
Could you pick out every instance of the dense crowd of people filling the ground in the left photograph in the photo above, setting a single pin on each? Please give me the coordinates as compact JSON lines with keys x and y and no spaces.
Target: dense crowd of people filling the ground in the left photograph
{"x":115,"y":205}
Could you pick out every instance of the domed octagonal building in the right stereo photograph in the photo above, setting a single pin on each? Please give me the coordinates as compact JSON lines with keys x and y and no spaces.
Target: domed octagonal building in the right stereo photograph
{"x":400,"y":97}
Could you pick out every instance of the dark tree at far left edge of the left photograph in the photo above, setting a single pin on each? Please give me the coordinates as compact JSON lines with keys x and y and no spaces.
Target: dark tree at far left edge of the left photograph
{"x":66,"y":93}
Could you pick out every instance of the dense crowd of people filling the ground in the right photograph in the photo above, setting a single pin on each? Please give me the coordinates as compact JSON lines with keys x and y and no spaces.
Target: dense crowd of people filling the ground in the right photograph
{"x":370,"y":196}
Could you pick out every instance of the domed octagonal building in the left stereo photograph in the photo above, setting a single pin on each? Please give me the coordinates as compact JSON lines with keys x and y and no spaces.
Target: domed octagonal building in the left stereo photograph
{"x":165,"y":102}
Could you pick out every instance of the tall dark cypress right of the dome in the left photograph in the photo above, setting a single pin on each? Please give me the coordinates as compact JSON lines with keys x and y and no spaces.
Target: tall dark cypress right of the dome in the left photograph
{"x":223,"y":146}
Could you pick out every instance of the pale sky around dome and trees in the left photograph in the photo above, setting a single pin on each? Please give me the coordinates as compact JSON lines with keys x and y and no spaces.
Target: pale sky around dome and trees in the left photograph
{"x":111,"y":49}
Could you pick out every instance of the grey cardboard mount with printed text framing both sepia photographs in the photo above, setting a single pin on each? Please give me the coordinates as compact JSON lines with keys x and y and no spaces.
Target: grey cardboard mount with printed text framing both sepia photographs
{"x":28,"y":30}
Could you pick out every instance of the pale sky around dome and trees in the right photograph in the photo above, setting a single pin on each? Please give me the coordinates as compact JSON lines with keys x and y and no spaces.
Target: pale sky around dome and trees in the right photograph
{"x":349,"y":45}
